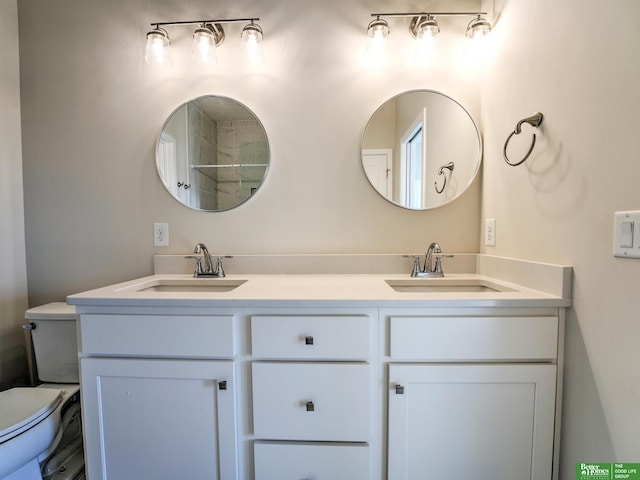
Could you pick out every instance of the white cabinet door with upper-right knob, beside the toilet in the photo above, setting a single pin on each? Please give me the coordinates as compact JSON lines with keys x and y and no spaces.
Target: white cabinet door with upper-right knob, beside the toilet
{"x":159,"y":419}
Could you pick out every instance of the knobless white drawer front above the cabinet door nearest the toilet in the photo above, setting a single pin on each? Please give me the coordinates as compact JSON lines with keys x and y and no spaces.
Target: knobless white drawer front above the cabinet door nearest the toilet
{"x":189,"y":336}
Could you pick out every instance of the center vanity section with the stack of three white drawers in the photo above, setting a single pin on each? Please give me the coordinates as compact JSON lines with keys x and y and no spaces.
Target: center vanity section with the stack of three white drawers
{"x":312,"y":401}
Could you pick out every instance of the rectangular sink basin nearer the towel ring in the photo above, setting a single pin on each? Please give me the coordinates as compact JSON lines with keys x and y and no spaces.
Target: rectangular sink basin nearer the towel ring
{"x":444,"y":285}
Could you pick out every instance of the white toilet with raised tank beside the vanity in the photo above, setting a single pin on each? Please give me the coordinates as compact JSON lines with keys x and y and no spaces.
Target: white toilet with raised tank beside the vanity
{"x":40,"y":427}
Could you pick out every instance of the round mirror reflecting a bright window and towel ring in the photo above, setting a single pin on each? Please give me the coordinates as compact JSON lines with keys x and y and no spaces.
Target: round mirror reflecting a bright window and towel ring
{"x":421,"y":149}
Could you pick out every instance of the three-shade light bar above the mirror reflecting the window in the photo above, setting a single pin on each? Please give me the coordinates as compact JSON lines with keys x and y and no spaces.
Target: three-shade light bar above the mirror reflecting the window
{"x":424,"y":24}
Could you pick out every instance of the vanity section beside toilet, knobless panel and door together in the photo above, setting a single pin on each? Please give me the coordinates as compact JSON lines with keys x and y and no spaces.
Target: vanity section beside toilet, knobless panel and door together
{"x":158,"y":395}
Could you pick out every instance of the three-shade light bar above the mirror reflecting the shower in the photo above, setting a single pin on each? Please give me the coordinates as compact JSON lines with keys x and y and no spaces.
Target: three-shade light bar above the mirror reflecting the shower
{"x":207,"y":36}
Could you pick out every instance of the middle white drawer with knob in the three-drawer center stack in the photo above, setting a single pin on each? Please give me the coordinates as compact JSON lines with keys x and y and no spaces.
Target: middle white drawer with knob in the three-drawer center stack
{"x":322,"y":402}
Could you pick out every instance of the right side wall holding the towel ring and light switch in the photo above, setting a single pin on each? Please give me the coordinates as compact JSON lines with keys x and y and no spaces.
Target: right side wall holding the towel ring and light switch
{"x":576,"y":61}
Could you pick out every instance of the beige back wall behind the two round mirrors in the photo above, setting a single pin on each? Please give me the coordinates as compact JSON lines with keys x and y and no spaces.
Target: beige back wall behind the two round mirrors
{"x":92,"y":111}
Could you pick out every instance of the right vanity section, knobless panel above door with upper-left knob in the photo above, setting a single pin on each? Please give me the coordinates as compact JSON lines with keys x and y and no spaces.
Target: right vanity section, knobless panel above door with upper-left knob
{"x":472,"y":395}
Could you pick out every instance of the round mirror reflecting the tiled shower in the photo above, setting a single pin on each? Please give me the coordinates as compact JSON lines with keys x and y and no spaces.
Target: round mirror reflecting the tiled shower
{"x":212,"y":154}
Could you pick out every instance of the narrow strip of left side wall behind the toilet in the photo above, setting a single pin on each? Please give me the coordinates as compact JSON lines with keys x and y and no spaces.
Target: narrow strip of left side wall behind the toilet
{"x":13,"y":273}
